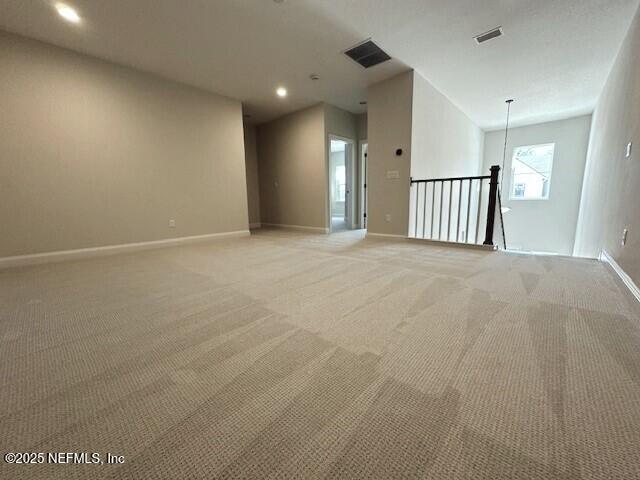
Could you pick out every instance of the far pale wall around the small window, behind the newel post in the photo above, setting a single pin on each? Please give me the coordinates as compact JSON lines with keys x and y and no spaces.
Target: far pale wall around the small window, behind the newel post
{"x":544,"y":225}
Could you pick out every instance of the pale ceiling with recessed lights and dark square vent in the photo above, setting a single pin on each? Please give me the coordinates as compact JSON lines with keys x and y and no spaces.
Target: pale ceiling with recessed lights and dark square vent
{"x":553,"y":58}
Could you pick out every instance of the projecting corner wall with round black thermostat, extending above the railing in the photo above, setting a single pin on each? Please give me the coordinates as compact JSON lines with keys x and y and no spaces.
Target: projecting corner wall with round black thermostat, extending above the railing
{"x":437,"y":139}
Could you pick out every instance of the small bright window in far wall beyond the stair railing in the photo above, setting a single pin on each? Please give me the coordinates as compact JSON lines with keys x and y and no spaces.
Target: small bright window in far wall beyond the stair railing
{"x":531,"y":172}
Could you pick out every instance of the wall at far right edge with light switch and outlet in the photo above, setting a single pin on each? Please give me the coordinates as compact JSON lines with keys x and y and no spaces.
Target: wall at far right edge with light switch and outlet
{"x":609,"y":195}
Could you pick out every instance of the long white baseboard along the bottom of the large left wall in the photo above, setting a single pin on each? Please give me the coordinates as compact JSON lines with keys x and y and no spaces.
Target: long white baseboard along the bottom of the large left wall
{"x":62,"y":255}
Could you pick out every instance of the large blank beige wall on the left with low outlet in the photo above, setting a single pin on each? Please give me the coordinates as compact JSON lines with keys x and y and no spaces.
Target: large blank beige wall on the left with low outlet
{"x":95,"y":154}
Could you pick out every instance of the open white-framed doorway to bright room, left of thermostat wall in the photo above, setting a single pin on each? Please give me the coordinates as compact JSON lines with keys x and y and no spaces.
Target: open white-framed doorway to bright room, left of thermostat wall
{"x":341,"y":183}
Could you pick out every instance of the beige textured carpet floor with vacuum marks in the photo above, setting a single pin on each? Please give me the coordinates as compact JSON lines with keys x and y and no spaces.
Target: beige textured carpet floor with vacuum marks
{"x":288,"y":355}
